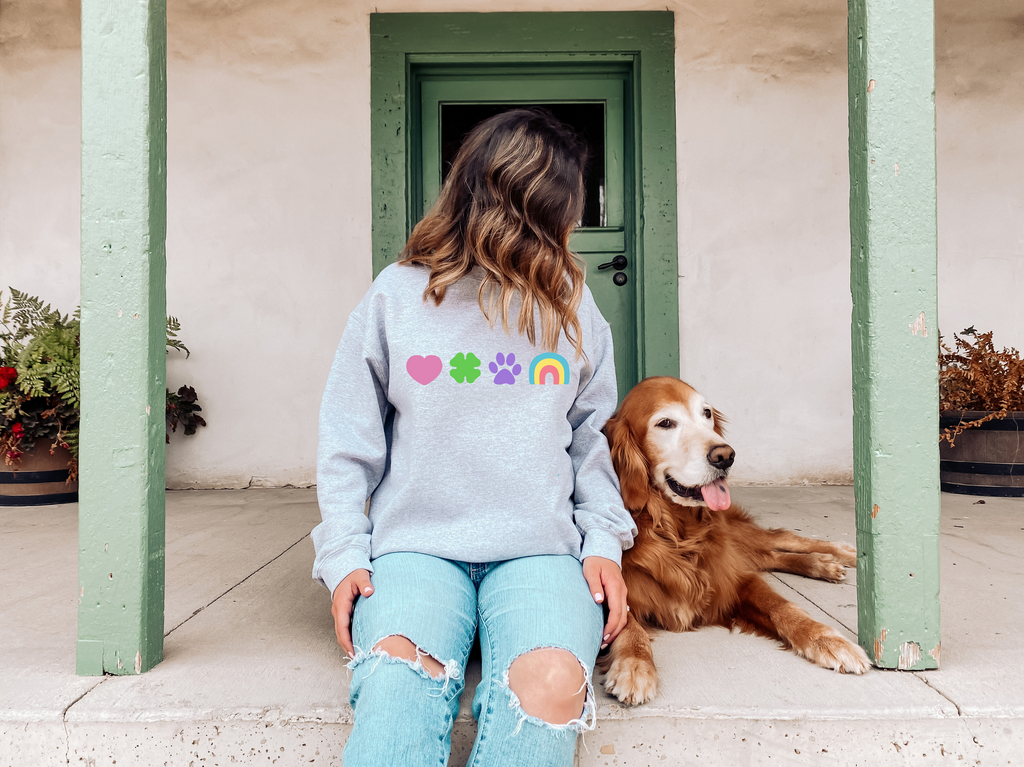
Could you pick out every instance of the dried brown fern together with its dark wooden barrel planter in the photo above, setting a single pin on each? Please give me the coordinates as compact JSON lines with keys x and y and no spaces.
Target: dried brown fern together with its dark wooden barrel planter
{"x":982,"y":403}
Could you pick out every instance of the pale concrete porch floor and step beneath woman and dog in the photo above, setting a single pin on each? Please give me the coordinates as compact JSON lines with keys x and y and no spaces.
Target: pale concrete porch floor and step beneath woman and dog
{"x":252,"y":674}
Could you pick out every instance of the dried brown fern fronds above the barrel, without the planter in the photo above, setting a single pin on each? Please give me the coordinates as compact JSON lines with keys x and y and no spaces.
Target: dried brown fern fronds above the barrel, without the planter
{"x":976,"y":377}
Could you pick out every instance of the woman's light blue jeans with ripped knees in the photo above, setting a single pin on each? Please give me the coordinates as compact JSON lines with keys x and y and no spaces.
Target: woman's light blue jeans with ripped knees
{"x":404,"y":716}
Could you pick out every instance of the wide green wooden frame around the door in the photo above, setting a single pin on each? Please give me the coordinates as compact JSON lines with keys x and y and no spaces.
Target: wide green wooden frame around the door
{"x":643,"y":41}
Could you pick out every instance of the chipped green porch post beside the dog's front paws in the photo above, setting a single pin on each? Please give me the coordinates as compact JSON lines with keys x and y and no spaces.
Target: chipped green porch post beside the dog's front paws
{"x":895,"y":329}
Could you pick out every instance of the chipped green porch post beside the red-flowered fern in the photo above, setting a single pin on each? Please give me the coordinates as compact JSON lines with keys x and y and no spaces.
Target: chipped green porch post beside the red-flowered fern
{"x":124,"y":218}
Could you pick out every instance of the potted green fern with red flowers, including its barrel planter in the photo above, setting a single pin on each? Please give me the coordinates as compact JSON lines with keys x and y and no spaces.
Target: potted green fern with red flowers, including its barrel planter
{"x":40,"y":402}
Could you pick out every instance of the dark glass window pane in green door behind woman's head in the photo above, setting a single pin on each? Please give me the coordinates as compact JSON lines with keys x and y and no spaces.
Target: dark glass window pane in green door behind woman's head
{"x":586,"y":119}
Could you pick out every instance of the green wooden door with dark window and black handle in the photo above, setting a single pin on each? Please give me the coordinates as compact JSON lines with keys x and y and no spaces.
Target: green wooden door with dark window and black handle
{"x":595,"y":104}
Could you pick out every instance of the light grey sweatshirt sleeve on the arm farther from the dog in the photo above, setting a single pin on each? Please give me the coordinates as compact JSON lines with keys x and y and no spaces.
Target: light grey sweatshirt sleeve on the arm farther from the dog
{"x":352,"y":451}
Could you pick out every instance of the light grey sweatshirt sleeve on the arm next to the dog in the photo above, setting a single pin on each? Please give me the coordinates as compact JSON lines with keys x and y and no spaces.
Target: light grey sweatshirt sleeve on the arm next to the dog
{"x":607,"y":527}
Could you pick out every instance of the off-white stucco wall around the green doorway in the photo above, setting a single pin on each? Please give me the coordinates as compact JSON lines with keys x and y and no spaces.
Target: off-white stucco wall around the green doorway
{"x":269,"y":207}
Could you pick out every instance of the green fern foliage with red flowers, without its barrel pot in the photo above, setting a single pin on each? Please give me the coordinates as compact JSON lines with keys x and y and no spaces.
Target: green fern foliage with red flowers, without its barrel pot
{"x":40,"y":392}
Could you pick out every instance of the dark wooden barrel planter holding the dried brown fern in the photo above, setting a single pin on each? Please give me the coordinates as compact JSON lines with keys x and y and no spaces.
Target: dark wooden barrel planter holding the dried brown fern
{"x":988,"y":460}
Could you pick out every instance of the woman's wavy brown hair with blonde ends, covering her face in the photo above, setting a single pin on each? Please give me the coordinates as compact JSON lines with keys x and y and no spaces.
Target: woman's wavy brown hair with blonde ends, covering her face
{"x":514,"y":197}
